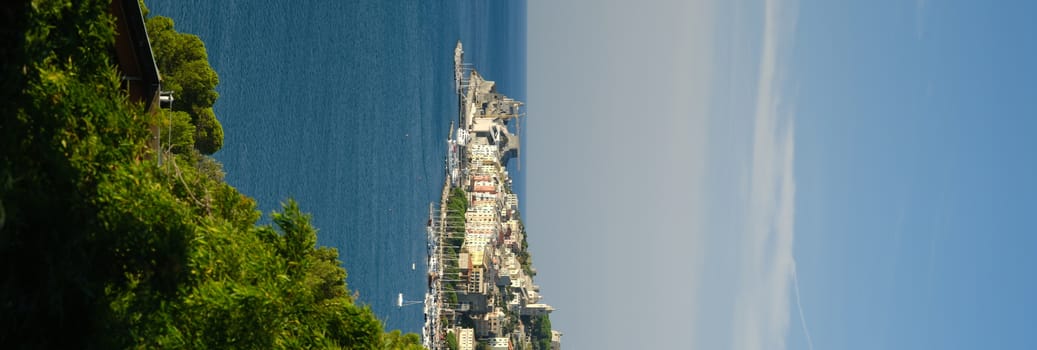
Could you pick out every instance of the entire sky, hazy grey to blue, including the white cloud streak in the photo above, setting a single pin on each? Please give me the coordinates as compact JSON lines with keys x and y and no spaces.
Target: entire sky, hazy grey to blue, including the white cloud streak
{"x":742,"y":174}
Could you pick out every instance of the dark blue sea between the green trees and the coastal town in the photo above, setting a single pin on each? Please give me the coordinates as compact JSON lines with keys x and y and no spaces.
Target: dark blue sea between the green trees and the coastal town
{"x":346,"y":107}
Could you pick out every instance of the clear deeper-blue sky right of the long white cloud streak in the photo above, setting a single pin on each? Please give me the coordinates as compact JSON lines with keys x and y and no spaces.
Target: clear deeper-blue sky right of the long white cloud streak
{"x":916,"y":174}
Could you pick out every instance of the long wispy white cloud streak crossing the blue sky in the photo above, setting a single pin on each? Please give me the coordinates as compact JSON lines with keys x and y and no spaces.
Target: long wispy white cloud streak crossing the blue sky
{"x":768,"y":269}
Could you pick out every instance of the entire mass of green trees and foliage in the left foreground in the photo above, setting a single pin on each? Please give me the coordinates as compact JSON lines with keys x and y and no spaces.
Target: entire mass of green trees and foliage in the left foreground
{"x":118,"y":229}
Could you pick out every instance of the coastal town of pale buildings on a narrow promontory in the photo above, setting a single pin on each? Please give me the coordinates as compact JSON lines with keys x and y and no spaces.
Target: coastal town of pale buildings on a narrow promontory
{"x":482,"y":294}
